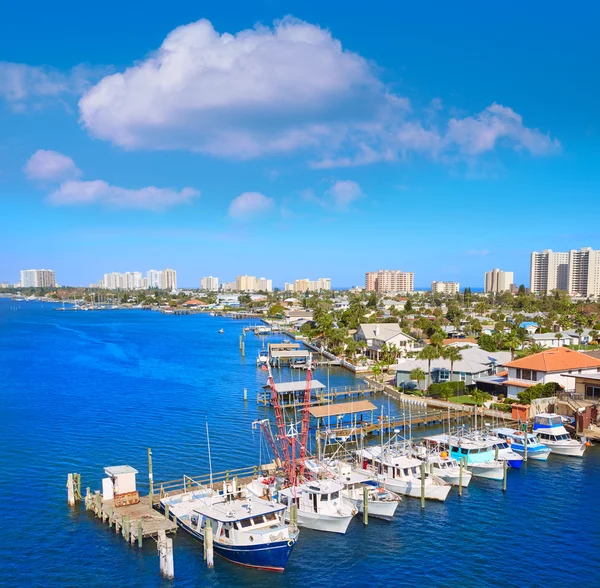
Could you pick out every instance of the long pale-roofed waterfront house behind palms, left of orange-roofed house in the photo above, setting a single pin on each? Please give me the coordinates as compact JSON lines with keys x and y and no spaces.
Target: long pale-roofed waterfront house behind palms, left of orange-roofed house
{"x":475,"y":363}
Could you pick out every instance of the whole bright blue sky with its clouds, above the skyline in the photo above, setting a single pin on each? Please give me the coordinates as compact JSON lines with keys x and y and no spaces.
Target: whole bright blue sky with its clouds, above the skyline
{"x":297,"y":139}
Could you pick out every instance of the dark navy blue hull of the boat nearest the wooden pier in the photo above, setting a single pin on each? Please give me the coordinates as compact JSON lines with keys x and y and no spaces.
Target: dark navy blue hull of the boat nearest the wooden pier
{"x":272,"y":556}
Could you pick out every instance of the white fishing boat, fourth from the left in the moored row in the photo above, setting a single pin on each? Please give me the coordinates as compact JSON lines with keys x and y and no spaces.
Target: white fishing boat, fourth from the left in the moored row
{"x":400,"y":473}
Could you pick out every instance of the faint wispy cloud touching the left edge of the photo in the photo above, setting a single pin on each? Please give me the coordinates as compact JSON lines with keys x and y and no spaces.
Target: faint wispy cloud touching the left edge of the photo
{"x":24,"y":86}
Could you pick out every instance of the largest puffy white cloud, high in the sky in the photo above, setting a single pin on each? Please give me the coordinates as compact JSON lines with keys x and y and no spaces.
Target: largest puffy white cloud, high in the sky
{"x":258,"y":91}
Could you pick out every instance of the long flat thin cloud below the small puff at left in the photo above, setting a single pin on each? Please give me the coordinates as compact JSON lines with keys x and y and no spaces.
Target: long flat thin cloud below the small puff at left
{"x":76,"y":192}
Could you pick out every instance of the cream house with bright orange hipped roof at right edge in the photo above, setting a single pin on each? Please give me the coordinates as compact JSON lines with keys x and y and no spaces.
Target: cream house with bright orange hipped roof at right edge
{"x":554,"y":365}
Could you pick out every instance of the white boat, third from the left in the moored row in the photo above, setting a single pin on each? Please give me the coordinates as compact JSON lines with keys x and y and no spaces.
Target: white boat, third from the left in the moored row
{"x":381,"y":502}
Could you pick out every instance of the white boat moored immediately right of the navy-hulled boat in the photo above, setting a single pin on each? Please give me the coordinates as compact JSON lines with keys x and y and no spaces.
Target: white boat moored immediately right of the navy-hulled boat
{"x":321,"y":505}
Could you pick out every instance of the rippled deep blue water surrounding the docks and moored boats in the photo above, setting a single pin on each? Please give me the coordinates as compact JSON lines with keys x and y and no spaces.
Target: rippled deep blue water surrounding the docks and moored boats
{"x":84,"y":390}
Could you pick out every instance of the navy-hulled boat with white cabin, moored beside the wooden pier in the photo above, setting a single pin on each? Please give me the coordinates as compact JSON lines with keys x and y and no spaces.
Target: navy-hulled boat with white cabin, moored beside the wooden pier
{"x":247,"y":530}
